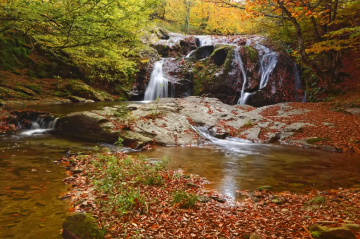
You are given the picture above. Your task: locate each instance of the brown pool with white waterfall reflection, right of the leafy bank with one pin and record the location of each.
(282, 167)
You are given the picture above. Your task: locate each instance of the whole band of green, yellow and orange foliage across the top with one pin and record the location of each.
(102, 36)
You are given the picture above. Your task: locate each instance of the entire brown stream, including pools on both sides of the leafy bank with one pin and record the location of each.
(31, 180)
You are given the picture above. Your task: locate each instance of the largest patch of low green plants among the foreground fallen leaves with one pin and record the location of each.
(121, 176)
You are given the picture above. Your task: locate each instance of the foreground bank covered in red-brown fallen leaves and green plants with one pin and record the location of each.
(130, 196)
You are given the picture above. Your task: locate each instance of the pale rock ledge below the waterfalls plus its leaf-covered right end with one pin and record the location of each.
(172, 121)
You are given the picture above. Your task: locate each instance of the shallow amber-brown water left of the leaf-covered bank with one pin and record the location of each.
(30, 184)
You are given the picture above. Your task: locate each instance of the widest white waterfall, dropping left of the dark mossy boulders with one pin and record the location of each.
(158, 85)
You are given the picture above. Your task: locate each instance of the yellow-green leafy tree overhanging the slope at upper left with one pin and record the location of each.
(100, 36)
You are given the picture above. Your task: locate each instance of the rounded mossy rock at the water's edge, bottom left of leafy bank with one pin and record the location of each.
(81, 226)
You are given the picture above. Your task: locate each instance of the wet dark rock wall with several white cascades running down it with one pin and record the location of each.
(259, 85)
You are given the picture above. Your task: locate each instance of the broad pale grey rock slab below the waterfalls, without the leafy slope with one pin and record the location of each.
(171, 121)
